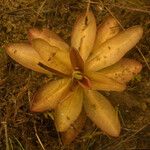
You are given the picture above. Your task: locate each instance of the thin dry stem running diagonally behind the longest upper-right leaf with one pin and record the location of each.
(139, 50)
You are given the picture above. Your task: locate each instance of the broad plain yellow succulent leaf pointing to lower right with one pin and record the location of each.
(102, 113)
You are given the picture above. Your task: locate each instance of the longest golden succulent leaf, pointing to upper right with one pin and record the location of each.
(114, 49)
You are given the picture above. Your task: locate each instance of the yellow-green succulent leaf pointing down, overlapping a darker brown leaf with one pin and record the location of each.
(68, 110)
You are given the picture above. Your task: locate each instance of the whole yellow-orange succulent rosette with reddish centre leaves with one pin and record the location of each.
(92, 63)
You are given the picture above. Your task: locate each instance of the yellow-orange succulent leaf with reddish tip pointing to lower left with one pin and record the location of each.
(49, 95)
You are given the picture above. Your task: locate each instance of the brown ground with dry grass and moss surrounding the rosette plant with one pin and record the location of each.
(19, 128)
